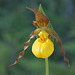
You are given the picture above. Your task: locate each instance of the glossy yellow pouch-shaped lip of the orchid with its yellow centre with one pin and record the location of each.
(43, 47)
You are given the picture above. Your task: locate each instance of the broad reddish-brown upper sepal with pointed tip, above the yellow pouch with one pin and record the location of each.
(41, 19)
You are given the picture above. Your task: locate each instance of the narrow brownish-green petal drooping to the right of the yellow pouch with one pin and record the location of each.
(58, 40)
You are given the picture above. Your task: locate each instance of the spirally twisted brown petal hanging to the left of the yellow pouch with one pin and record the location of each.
(26, 44)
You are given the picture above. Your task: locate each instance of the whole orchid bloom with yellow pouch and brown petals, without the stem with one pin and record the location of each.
(43, 46)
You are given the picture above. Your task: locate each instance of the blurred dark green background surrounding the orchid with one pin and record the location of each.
(16, 26)
